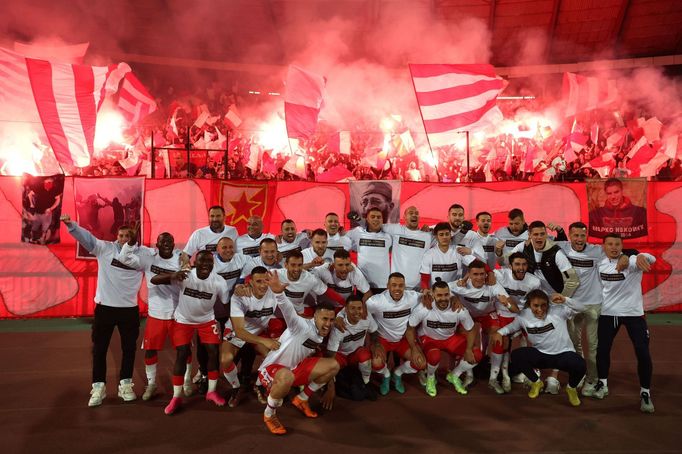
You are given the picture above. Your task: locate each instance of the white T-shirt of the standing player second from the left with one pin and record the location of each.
(161, 299)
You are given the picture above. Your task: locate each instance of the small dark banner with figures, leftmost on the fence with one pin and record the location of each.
(41, 204)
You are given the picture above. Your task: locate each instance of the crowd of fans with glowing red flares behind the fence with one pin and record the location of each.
(213, 147)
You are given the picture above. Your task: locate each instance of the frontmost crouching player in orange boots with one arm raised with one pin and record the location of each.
(292, 364)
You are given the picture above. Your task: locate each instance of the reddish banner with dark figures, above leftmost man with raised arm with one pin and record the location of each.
(103, 205)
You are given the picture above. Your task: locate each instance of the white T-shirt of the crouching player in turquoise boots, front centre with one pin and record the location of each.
(392, 316)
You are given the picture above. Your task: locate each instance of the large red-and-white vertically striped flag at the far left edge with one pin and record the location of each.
(60, 99)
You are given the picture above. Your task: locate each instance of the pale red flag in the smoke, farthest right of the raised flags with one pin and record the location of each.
(584, 93)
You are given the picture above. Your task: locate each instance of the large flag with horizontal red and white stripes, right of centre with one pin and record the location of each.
(455, 98)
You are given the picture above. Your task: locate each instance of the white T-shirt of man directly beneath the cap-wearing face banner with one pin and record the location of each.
(373, 250)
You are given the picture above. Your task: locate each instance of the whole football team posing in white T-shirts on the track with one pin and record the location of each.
(334, 312)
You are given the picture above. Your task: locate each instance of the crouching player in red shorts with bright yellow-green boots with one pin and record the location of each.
(437, 330)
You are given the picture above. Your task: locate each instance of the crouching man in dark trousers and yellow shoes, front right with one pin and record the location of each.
(551, 348)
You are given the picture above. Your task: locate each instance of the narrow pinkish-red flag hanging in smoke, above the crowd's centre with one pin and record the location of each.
(302, 102)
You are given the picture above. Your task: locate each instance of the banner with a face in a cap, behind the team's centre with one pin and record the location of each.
(384, 195)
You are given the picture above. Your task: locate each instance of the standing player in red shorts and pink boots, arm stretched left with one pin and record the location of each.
(198, 291)
